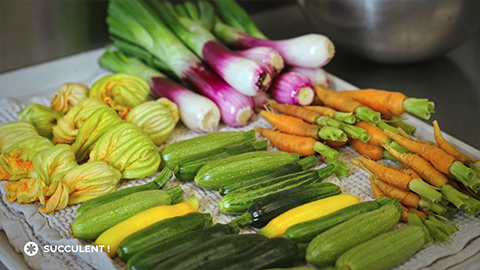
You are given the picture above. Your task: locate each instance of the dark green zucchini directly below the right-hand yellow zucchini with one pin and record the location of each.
(304, 232)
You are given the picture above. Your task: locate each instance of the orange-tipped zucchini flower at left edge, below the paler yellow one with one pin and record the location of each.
(17, 160)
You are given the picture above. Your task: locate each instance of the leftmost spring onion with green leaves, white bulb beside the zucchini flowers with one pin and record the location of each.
(197, 112)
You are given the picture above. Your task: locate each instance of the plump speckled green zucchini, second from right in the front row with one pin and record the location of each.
(326, 247)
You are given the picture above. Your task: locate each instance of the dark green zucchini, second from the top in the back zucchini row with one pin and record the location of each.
(188, 170)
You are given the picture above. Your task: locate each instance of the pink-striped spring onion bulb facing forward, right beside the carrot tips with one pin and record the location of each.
(292, 88)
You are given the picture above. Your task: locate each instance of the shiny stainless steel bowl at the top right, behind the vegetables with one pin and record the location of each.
(394, 31)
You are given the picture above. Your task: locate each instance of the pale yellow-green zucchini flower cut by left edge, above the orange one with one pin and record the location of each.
(13, 132)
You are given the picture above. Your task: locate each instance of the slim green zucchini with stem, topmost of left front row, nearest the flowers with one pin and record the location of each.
(158, 183)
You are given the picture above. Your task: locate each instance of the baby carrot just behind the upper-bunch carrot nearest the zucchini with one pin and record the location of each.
(296, 126)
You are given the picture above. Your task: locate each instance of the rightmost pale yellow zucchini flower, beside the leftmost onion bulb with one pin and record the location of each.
(154, 118)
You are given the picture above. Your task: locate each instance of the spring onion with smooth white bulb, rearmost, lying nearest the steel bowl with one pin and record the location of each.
(311, 50)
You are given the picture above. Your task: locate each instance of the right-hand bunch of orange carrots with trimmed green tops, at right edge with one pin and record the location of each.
(436, 180)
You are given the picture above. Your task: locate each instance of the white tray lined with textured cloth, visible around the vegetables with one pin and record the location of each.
(23, 223)
